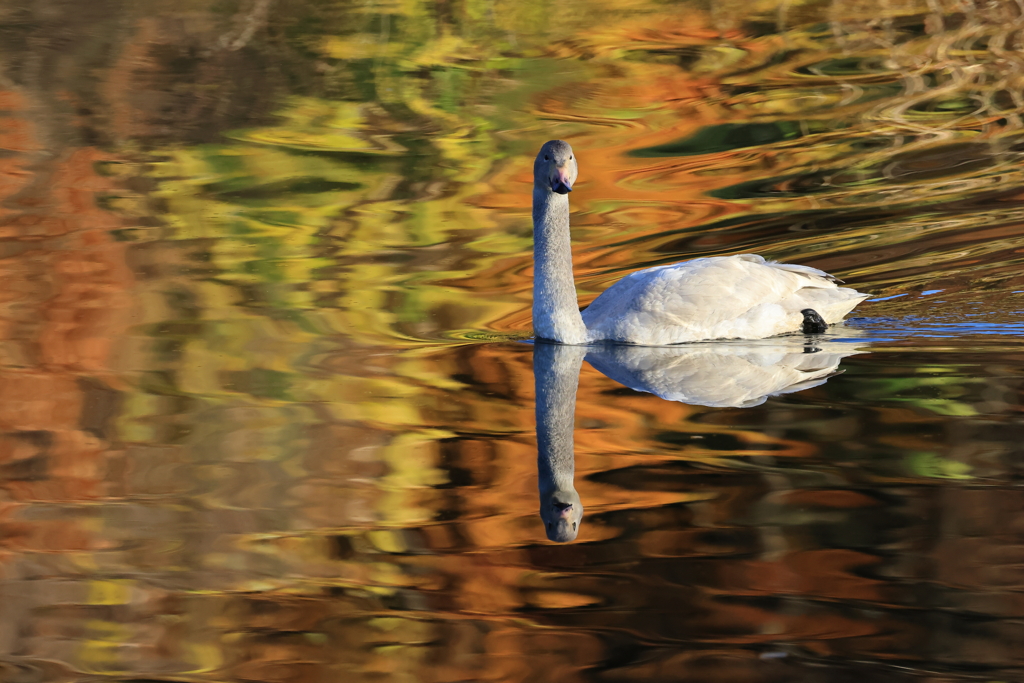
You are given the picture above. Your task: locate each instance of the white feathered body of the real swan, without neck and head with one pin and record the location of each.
(720, 297)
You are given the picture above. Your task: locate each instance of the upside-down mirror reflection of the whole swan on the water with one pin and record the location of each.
(727, 374)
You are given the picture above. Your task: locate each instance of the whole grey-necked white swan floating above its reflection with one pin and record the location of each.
(718, 297)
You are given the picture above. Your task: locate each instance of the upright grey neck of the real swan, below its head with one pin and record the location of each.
(557, 312)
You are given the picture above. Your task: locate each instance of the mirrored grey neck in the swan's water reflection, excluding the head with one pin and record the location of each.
(557, 372)
